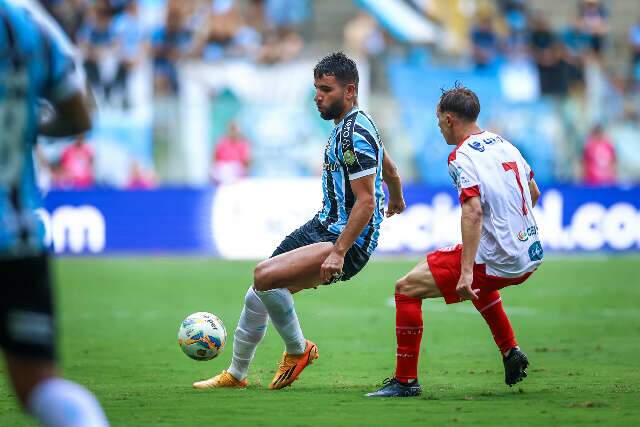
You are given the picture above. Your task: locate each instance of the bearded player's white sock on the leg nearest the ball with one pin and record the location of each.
(250, 330)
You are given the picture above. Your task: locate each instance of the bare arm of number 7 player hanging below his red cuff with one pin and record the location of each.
(471, 231)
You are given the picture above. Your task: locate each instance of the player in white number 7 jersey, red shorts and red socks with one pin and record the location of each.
(500, 245)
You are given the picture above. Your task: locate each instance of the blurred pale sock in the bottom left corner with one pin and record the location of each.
(60, 403)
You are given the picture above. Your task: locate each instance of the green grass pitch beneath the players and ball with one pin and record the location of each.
(578, 320)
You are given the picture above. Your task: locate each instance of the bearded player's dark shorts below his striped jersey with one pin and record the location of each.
(314, 232)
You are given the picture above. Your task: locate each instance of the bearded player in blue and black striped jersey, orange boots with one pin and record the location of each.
(335, 245)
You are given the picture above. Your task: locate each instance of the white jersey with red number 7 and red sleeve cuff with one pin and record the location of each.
(489, 166)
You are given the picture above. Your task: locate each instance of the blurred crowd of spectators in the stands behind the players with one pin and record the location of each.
(597, 105)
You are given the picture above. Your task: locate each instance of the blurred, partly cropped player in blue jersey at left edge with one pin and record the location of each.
(35, 65)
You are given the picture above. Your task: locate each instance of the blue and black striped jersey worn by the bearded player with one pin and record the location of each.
(354, 150)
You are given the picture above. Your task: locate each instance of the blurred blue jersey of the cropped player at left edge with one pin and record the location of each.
(35, 64)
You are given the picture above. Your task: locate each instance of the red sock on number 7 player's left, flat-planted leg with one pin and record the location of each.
(408, 335)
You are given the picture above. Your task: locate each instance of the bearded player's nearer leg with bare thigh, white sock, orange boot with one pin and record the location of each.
(297, 269)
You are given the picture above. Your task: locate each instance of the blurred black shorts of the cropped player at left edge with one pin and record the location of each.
(27, 324)
